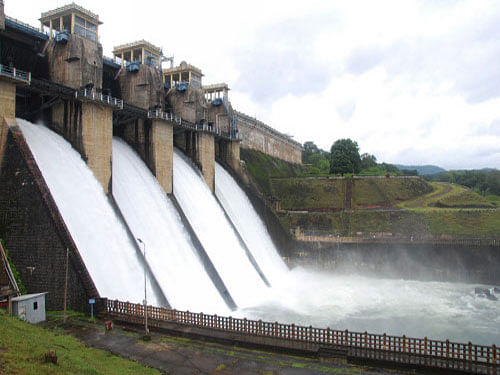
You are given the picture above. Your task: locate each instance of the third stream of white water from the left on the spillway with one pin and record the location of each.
(216, 234)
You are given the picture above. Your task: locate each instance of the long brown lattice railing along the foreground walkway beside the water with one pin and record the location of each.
(422, 347)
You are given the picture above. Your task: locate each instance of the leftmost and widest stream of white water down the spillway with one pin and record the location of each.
(109, 256)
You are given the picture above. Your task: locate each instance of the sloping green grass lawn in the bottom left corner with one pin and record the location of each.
(23, 346)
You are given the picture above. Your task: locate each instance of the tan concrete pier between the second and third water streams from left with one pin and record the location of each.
(162, 152)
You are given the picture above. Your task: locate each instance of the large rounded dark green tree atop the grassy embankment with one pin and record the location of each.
(344, 157)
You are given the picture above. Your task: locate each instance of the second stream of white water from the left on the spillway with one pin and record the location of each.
(152, 217)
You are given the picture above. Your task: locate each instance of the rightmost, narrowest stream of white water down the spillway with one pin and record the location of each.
(250, 226)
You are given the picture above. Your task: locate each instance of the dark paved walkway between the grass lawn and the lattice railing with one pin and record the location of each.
(178, 355)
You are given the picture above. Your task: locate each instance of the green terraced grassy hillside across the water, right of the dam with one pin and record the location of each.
(398, 205)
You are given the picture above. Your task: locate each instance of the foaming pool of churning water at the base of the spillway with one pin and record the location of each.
(438, 310)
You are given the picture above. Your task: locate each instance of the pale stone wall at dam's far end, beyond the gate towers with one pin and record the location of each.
(258, 136)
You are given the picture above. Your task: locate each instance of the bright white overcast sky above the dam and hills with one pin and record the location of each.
(413, 82)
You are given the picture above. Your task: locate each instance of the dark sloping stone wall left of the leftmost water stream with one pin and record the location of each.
(35, 234)
